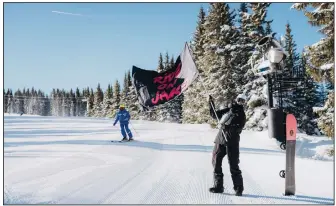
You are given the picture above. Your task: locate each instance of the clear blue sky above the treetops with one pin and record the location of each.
(45, 49)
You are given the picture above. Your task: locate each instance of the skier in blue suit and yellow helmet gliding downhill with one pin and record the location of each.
(123, 117)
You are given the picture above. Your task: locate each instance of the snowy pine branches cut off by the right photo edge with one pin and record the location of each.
(320, 57)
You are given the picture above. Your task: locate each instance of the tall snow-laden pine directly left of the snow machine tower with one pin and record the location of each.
(254, 85)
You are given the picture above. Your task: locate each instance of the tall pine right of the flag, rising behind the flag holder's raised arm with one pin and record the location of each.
(219, 57)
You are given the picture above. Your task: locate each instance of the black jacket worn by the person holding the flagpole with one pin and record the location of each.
(234, 129)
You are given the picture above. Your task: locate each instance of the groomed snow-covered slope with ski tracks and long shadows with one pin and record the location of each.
(72, 161)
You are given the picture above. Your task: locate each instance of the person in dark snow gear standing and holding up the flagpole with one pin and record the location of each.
(232, 121)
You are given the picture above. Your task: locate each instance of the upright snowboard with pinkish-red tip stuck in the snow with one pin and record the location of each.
(291, 128)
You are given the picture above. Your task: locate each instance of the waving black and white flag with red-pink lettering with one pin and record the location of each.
(154, 88)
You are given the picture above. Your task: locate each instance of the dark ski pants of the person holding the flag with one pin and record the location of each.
(232, 151)
